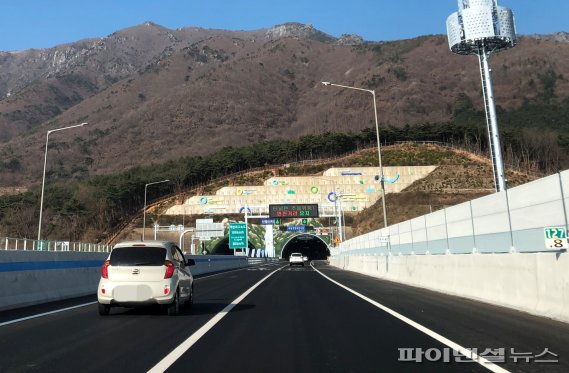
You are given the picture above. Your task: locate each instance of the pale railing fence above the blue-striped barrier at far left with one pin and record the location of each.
(25, 244)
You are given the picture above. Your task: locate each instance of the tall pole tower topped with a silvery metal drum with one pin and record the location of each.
(482, 27)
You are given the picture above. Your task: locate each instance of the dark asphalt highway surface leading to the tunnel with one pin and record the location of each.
(281, 319)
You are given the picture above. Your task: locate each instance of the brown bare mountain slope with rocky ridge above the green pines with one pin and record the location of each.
(151, 94)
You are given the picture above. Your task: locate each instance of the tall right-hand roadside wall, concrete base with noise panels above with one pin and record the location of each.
(520, 267)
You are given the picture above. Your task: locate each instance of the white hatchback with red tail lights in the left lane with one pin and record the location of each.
(140, 273)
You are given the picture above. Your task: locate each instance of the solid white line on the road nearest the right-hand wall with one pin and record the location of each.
(455, 346)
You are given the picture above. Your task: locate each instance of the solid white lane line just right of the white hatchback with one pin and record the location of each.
(171, 358)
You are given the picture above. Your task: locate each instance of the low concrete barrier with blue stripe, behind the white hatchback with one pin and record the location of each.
(34, 277)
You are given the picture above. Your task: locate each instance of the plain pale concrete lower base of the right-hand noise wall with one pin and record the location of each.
(537, 283)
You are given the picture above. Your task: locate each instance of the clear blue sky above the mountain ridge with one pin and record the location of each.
(28, 24)
